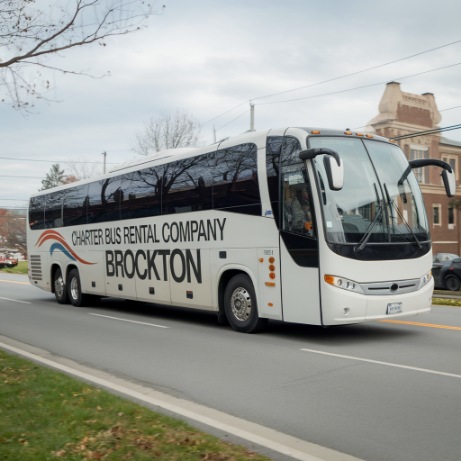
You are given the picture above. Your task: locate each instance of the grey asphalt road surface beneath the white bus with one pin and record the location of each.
(378, 391)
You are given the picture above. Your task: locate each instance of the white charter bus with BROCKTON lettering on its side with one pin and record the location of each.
(309, 226)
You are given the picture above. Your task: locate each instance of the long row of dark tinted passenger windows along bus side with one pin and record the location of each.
(224, 180)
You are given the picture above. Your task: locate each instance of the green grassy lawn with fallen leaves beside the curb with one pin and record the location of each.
(46, 415)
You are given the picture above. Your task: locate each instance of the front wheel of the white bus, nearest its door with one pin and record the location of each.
(240, 305)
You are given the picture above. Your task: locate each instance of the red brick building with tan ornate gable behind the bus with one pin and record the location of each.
(402, 115)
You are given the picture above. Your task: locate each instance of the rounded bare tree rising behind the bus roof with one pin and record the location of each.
(168, 131)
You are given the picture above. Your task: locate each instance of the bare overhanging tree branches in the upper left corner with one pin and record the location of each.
(31, 31)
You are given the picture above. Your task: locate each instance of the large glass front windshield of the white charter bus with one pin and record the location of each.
(378, 205)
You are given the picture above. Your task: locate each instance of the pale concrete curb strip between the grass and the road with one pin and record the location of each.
(255, 433)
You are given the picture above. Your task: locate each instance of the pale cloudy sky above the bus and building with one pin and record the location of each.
(318, 63)
